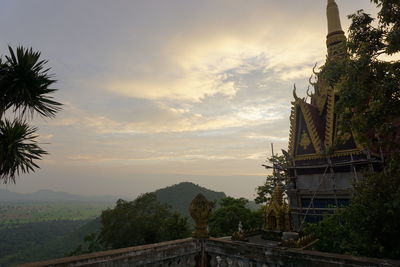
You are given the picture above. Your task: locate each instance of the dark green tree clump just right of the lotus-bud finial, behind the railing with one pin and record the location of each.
(225, 220)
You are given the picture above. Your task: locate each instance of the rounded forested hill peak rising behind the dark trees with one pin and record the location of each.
(180, 195)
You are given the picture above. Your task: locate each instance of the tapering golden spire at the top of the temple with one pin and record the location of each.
(335, 40)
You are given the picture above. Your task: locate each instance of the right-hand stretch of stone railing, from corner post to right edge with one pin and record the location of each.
(222, 253)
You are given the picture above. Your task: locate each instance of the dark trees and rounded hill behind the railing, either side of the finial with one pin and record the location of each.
(148, 220)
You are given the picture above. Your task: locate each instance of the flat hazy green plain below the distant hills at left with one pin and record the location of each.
(37, 231)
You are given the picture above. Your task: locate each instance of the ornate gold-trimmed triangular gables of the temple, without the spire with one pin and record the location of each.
(314, 131)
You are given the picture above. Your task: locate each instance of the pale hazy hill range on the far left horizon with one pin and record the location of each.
(49, 195)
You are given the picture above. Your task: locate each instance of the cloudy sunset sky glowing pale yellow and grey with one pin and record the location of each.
(157, 92)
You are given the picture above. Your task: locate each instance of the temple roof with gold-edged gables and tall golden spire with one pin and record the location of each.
(314, 130)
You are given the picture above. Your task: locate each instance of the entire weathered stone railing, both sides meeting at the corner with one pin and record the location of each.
(212, 252)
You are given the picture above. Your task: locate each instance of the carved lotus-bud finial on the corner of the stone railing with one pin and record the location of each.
(200, 209)
